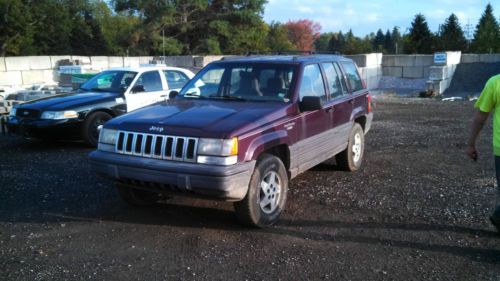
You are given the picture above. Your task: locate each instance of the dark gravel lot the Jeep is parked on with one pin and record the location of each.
(416, 211)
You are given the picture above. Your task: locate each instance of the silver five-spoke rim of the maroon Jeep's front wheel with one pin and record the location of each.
(270, 191)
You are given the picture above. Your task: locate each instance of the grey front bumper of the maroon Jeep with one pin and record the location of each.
(229, 183)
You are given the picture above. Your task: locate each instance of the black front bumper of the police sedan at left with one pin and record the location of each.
(40, 128)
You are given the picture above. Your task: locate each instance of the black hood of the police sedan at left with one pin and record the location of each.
(68, 101)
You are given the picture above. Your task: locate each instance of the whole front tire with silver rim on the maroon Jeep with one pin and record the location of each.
(255, 209)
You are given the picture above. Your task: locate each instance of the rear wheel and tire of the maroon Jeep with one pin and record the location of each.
(352, 157)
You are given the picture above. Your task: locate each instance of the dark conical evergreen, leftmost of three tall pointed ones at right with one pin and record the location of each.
(420, 38)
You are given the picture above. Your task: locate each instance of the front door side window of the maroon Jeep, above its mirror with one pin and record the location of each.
(312, 82)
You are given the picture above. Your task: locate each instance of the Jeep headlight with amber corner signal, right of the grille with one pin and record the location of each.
(218, 151)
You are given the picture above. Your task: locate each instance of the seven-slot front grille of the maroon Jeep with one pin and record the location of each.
(157, 146)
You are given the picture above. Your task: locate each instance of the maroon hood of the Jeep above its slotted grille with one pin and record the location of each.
(207, 118)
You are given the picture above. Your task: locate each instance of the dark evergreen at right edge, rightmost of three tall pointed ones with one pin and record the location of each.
(487, 35)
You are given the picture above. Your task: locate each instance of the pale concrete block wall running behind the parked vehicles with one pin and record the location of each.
(24, 71)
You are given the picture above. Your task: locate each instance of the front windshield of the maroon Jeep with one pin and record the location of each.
(242, 82)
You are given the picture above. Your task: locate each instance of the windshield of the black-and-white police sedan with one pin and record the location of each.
(114, 81)
